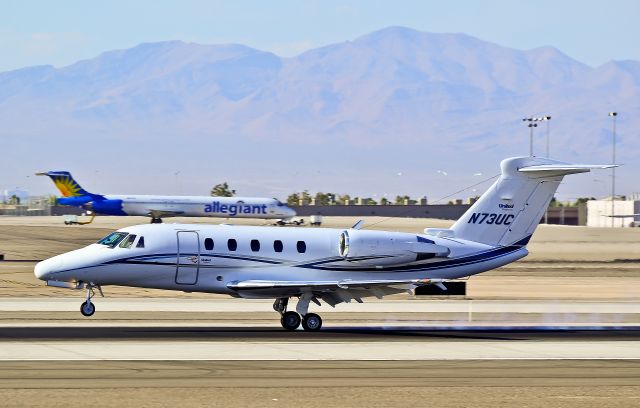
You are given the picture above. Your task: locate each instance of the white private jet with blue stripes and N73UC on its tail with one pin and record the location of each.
(318, 264)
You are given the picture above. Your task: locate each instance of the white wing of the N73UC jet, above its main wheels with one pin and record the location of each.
(332, 292)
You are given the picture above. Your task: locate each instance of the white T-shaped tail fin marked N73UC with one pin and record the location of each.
(510, 210)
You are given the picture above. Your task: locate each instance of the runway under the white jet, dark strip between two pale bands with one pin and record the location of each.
(232, 329)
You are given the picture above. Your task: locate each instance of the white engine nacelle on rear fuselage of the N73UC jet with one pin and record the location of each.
(379, 248)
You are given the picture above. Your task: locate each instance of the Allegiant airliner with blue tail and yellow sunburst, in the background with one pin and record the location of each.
(157, 207)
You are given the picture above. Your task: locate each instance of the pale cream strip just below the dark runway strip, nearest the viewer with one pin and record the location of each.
(314, 351)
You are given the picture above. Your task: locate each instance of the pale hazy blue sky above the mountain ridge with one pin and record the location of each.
(62, 32)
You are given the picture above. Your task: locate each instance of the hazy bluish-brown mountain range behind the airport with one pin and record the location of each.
(379, 114)
